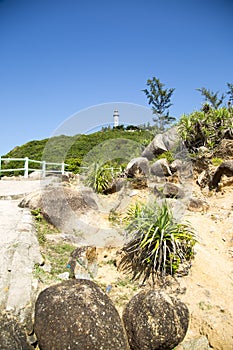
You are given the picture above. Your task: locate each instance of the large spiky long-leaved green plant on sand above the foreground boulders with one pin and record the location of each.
(158, 244)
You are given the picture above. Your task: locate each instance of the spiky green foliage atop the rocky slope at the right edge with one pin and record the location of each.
(205, 129)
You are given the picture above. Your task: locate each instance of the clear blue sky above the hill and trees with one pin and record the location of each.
(58, 57)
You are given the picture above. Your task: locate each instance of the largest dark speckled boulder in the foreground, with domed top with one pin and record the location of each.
(77, 315)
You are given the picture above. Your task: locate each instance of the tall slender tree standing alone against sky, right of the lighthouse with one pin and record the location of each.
(160, 99)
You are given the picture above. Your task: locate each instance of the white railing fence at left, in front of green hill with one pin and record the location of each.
(45, 167)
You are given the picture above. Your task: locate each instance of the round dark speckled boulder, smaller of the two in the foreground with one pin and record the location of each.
(153, 320)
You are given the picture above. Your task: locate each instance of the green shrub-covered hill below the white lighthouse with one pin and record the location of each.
(112, 144)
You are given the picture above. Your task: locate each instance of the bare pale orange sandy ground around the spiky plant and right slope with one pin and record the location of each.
(208, 288)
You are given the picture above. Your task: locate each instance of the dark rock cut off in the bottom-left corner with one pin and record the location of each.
(12, 334)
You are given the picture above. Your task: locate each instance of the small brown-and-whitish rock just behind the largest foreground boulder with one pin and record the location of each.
(83, 263)
